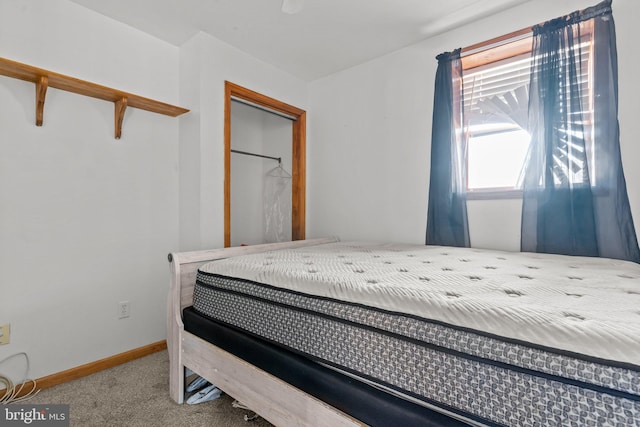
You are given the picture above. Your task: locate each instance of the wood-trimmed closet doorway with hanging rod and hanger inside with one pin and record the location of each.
(276, 168)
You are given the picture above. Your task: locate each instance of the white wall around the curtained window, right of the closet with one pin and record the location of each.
(370, 129)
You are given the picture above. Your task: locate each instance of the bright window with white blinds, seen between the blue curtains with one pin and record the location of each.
(496, 100)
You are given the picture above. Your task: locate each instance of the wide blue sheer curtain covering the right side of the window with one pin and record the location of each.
(574, 192)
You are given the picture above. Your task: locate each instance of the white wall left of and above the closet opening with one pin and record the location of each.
(205, 64)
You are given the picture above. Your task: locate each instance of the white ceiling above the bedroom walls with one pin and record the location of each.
(325, 37)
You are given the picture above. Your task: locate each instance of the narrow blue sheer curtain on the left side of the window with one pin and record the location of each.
(447, 223)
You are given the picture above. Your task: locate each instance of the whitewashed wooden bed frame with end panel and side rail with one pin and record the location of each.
(273, 399)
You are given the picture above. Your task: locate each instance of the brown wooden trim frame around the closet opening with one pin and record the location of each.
(298, 151)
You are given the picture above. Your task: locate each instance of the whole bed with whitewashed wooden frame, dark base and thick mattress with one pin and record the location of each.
(323, 332)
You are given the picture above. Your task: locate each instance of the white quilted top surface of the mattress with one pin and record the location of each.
(580, 304)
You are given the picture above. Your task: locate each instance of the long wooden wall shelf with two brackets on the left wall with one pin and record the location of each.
(44, 79)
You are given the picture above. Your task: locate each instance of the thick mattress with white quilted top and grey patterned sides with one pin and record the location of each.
(491, 337)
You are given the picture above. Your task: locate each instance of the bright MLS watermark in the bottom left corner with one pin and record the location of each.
(34, 415)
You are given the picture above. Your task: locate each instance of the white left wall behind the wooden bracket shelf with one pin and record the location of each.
(86, 221)
